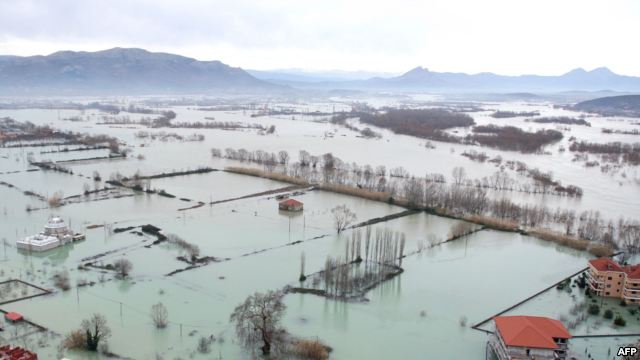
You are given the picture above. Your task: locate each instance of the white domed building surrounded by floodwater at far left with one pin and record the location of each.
(56, 233)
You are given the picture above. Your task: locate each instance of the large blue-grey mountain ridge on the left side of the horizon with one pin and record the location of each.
(121, 71)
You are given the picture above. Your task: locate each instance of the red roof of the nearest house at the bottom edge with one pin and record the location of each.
(530, 331)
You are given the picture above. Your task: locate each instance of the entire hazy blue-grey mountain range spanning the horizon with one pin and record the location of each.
(136, 71)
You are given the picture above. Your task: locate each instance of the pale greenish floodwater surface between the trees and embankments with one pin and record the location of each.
(416, 315)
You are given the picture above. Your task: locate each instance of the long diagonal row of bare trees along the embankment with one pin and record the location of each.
(458, 197)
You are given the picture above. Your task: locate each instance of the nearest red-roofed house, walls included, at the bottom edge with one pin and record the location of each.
(529, 337)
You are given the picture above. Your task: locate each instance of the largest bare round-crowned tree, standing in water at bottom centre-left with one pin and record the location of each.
(257, 321)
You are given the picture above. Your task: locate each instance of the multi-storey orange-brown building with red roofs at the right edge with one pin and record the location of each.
(608, 278)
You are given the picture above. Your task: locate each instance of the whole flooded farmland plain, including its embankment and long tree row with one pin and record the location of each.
(466, 251)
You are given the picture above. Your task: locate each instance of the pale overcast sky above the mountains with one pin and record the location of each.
(503, 36)
